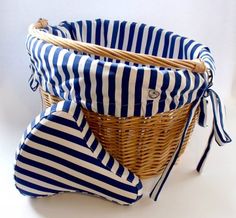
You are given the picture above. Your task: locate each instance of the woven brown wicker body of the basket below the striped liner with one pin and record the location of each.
(143, 144)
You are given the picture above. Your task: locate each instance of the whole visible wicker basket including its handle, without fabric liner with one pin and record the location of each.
(143, 144)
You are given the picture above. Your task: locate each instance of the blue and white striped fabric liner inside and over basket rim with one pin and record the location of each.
(115, 87)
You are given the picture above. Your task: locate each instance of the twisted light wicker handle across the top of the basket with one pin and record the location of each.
(193, 65)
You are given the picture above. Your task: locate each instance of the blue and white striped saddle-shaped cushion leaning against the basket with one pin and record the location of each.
(59, 153)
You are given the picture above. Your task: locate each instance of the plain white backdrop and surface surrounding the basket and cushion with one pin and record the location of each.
(186, 194)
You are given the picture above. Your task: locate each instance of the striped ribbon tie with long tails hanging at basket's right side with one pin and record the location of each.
(218, 132)
